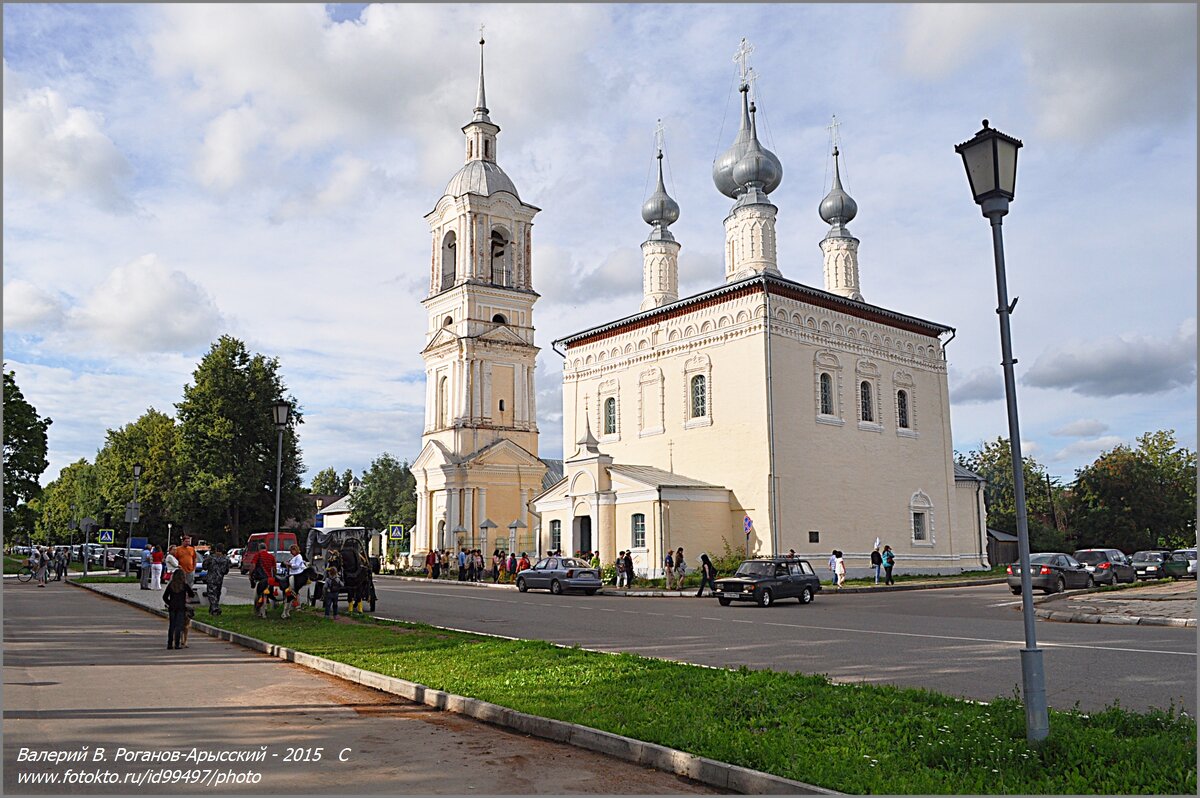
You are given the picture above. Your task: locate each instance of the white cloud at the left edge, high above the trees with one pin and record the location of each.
(57, 151)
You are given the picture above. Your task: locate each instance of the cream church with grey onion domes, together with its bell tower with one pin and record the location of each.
(763, 415)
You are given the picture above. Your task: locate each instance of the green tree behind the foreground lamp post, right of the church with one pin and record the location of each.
(994, 463)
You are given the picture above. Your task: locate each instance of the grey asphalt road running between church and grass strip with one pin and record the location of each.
(958, 641)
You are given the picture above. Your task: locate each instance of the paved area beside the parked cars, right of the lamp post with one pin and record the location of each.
(1165, 604)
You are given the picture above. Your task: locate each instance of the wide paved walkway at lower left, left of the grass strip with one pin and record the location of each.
(82, 670)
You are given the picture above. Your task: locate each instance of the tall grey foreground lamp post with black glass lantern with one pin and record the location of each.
(991, 163)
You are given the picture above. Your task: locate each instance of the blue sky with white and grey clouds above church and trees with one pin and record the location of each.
(176, 173)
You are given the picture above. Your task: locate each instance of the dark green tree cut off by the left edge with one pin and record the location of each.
(25, 458)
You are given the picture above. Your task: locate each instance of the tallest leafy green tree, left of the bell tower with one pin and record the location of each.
(227, 447)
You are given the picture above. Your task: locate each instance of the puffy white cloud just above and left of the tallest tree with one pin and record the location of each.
(143, 307)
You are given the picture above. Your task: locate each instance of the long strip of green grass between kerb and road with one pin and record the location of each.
(857, 740)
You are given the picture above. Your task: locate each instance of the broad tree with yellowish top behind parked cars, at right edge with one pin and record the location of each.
(1138, 499)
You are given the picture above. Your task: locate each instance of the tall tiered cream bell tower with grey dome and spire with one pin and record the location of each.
(479, 349)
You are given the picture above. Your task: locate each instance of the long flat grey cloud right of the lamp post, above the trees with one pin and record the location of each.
(1132, 364)
